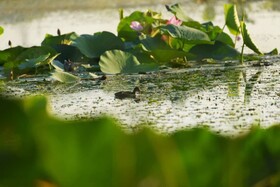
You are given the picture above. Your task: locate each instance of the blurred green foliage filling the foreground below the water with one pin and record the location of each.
(36, 147)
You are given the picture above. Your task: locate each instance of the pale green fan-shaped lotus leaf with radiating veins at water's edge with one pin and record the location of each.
(117, 61)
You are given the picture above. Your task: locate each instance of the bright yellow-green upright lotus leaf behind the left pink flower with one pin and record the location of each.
(128, 34)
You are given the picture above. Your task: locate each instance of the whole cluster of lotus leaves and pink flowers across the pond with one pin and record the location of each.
(144, 42)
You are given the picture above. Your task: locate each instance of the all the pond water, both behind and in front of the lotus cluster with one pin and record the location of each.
(227, 99)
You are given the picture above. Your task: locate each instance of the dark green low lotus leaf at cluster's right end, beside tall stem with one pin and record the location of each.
(217, 51)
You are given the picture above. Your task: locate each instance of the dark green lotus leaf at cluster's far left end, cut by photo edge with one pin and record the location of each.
(9, 55)
